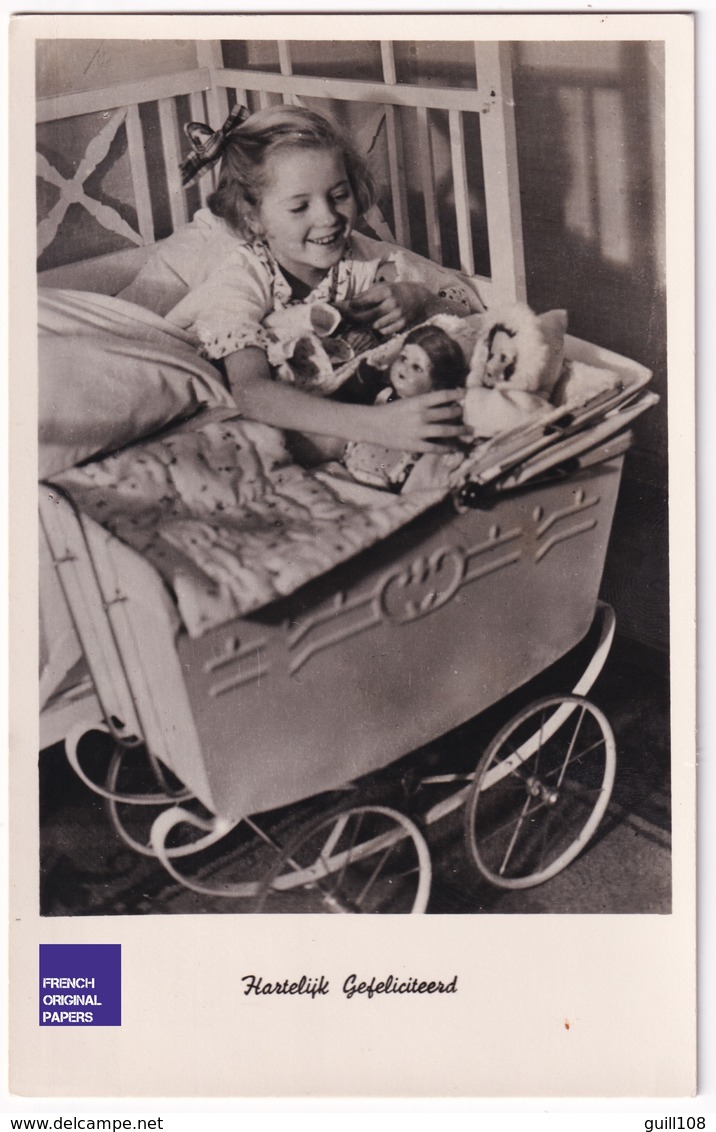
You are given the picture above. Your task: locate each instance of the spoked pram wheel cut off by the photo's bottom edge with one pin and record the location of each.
(364, 860)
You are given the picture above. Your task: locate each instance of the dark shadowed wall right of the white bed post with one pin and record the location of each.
(591, 149)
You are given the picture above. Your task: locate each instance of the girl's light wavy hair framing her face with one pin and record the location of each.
(243, 177)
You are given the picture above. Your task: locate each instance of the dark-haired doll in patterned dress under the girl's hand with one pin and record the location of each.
(429, 359)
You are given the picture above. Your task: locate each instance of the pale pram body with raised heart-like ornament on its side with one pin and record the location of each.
(357, 670)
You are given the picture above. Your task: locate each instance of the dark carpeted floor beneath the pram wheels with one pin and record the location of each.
(88, 871)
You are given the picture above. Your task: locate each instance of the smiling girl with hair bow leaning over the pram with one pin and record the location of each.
(281, 230)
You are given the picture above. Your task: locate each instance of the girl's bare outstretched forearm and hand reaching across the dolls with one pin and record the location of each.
(424, 424)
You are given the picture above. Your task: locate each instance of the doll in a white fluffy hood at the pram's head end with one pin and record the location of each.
(513, 373)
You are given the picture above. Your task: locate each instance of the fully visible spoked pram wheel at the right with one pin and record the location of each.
(540, 792)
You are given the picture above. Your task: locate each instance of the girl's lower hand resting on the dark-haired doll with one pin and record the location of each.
(430, 423)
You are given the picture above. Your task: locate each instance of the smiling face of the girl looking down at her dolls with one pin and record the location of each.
(307, 211)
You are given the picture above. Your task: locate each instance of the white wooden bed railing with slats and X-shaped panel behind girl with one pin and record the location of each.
(209, 90)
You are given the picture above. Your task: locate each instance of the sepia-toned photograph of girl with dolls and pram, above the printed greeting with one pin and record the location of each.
(420, 666)
